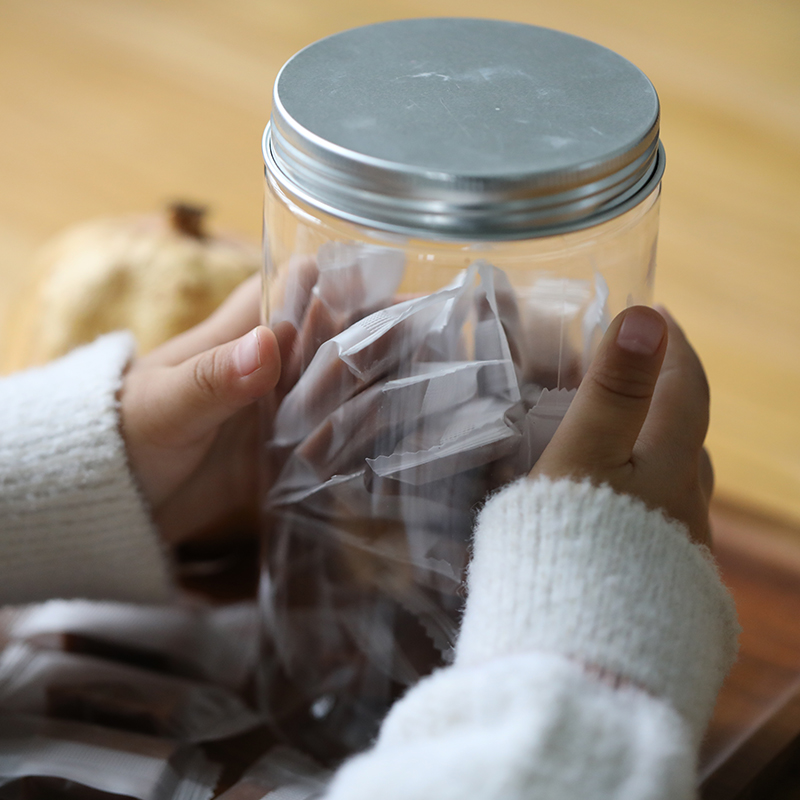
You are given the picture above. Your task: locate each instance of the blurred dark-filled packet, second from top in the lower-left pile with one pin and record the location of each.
(83, 688)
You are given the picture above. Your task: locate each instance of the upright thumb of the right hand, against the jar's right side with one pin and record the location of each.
(601, 427)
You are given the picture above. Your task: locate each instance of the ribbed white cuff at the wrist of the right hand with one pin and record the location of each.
(579, 570)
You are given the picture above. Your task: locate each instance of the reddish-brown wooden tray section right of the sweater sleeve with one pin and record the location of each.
(752, 748)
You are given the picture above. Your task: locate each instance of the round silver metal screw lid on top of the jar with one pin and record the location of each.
(464, 128)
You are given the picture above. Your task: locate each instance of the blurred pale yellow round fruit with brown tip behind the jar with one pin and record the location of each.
(154, 274)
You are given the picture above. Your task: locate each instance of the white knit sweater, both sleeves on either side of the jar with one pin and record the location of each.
(594, 642)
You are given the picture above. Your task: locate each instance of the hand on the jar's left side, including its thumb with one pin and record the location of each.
(189, 420)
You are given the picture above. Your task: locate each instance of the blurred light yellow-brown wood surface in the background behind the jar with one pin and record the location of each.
(110, 106)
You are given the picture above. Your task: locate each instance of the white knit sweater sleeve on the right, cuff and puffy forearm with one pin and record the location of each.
(567, 582)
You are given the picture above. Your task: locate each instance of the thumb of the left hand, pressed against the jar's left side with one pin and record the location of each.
(201, 393)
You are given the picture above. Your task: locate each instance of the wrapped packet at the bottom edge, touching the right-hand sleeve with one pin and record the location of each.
(282, 774)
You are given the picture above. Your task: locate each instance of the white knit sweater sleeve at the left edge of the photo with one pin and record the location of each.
(72, 521)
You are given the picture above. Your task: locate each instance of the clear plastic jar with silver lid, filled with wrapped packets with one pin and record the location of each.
(437, 307)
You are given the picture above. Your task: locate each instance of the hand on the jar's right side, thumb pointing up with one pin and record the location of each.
(639, 426)
